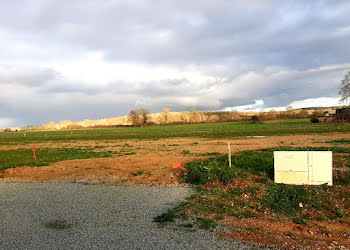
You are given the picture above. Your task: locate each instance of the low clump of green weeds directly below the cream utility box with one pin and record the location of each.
(285, 199)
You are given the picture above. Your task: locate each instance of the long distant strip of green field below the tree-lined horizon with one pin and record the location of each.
(208, 130)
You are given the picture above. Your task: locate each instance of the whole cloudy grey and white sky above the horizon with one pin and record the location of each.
(85, 59)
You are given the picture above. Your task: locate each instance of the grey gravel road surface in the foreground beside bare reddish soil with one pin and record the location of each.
(76, 216)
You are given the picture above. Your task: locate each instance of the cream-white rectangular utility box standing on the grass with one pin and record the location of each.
(303, 167)
